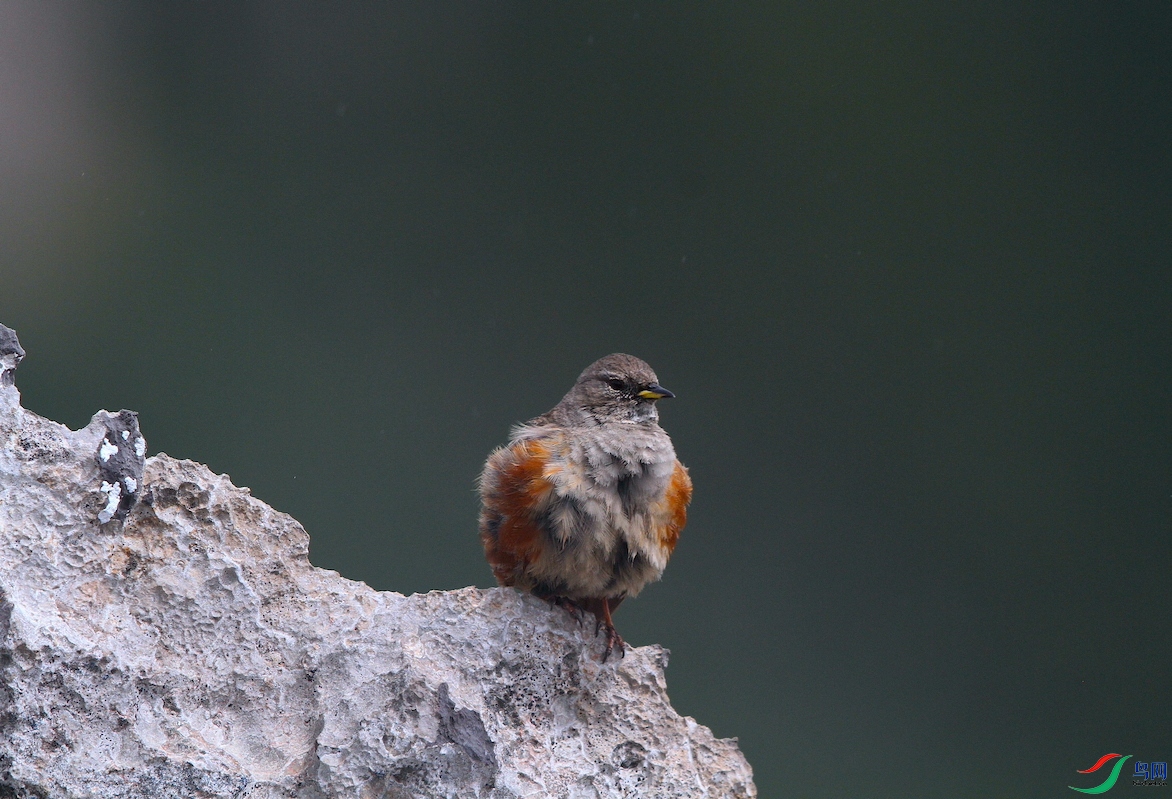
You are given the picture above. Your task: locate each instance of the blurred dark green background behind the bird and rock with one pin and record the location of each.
(907, 267)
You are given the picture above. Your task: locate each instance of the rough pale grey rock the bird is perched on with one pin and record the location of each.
(163, 634)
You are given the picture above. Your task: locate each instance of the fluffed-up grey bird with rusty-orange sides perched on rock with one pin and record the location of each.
(584, 506)
